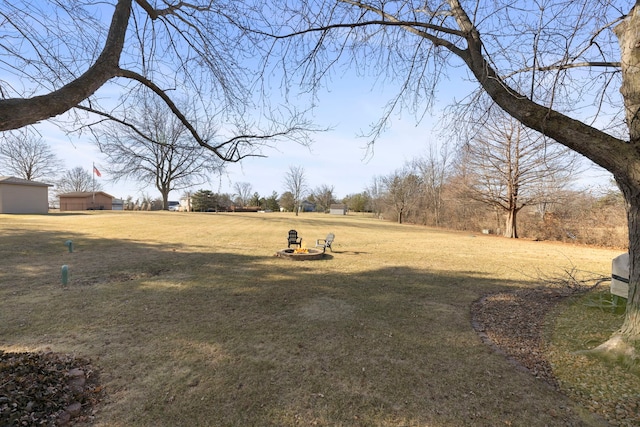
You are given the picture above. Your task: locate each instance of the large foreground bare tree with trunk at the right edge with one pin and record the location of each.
(558, 67)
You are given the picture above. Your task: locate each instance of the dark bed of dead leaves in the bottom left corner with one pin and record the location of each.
(47, 389)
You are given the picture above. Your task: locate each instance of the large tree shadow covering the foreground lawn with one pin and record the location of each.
(219, 338)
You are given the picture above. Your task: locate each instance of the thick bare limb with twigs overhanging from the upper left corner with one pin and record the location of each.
(64, 56)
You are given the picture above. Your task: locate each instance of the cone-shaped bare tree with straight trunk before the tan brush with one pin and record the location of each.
(510, 167)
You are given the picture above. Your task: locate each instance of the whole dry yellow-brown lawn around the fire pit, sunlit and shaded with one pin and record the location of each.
(192, 320)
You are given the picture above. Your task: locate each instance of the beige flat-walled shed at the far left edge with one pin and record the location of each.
(21, 196)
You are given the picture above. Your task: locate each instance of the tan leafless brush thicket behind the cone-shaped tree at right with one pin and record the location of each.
(594, 217)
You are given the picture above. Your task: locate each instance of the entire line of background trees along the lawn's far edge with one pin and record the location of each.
(502, 180)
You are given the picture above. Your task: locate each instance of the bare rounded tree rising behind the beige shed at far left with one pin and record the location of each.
(27, 156)
